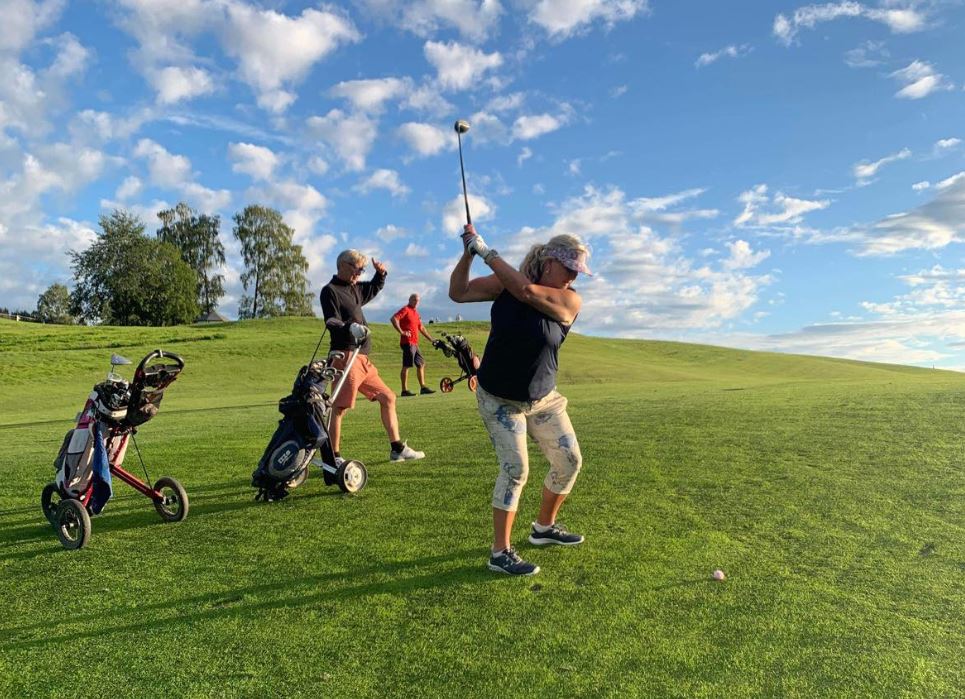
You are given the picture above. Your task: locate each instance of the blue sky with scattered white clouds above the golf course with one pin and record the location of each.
(778, 176)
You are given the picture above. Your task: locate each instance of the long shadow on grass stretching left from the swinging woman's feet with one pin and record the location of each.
(408, 576)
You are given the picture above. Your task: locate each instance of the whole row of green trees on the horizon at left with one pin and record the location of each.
(127, 277)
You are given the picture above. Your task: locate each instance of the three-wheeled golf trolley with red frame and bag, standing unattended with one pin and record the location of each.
(93, 451)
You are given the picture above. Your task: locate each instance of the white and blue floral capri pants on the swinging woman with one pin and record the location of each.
(546, 421)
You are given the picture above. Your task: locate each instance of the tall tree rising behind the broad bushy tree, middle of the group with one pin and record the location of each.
(196, 236)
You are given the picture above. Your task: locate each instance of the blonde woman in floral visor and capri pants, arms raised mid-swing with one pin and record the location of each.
(532, 312)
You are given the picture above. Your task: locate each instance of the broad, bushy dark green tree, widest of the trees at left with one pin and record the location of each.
(126, 278)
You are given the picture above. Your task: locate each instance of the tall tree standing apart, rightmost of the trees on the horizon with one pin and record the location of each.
(275, 278)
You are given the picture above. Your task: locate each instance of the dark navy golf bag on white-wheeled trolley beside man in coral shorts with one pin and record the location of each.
(303, 431)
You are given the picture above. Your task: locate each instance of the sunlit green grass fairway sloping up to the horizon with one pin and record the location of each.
(831, 493)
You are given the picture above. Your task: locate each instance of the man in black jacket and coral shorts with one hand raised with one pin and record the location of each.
(342, 300)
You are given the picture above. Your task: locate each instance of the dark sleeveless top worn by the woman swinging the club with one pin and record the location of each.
(522, 354)
